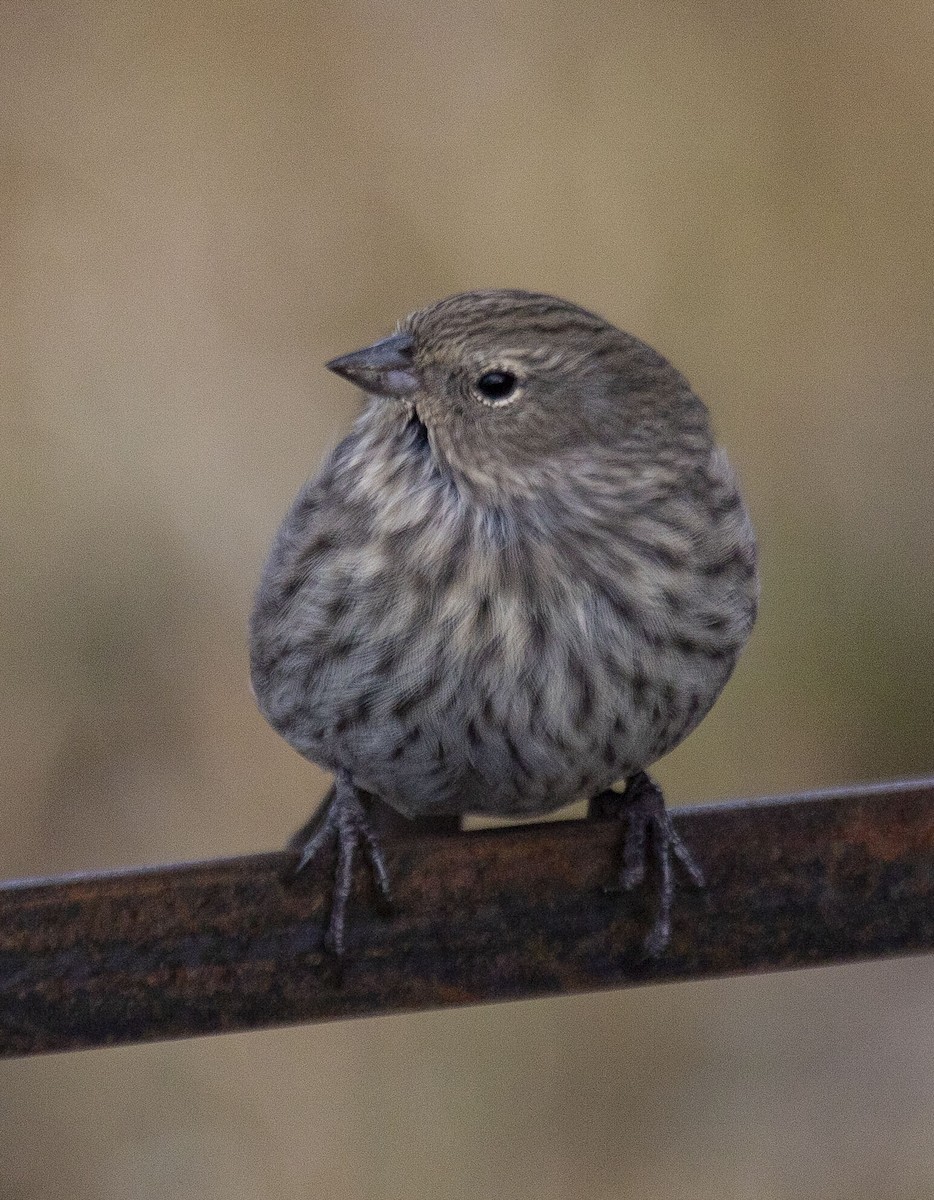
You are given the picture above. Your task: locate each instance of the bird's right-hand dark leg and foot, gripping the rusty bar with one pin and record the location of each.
(650, 838)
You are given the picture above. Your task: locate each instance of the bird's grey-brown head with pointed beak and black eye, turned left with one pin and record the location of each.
(512, 387)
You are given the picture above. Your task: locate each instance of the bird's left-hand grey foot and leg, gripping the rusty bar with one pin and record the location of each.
(344, 823)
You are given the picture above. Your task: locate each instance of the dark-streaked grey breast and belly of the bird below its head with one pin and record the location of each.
(450, 655)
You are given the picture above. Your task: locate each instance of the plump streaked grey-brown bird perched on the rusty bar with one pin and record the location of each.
(524, 577)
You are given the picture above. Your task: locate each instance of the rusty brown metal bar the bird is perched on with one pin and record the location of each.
(494, 915)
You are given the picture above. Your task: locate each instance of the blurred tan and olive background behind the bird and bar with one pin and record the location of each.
(201, 205)
